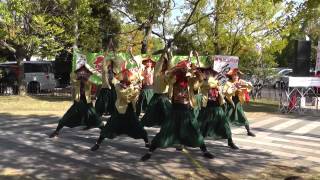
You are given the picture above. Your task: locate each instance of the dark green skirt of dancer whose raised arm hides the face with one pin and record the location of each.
(158, 111)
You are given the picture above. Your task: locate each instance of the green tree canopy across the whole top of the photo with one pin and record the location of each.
(261, 33)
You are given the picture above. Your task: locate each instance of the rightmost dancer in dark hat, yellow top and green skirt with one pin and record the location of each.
(234, 93)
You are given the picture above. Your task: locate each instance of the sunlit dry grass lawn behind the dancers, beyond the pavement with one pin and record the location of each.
(42, 105)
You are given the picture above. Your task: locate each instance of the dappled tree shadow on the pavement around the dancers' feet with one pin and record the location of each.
(27, 148)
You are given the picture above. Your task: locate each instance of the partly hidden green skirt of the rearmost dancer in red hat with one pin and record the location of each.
(144, 100)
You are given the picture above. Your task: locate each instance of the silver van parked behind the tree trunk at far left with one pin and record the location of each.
(38, 75)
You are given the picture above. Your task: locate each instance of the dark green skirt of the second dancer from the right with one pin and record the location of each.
(213, 121)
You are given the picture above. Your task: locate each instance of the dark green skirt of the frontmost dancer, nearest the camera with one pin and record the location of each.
(180, 129)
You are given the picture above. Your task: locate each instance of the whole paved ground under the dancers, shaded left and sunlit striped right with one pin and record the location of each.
(26, 150)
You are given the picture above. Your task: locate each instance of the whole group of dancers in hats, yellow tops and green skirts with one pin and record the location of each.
(185, 100)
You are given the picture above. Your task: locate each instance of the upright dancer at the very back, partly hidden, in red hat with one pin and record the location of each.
(147, 88)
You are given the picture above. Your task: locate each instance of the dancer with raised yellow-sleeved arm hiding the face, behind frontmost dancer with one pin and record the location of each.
(159, 107)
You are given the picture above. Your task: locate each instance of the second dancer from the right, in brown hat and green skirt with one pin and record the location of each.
(212, 118)
